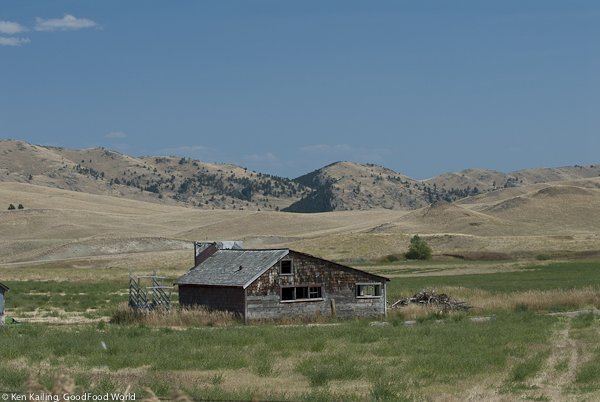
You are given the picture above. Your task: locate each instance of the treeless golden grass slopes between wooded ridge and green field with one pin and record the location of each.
(59, 224)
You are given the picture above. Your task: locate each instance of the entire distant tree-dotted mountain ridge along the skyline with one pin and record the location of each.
(340, 186)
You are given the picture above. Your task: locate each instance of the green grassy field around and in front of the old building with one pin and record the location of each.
(521, 352)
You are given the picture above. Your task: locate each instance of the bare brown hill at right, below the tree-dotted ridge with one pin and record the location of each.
(551, 210)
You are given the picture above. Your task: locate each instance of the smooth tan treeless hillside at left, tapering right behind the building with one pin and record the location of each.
(63, 224)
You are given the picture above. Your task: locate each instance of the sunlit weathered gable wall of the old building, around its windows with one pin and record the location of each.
(264, 294)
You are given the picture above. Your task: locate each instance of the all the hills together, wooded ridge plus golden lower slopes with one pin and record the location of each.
(82, 203)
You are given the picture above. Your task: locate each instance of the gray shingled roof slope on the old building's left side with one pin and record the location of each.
(223, 267)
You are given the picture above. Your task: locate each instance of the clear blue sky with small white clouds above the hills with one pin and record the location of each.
(286, 87)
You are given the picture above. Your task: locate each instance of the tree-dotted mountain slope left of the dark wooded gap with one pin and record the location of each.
(162, 180)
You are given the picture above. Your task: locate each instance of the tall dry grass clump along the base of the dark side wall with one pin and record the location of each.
(178, 317)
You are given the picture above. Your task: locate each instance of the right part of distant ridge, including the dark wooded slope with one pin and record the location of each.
(350, 186)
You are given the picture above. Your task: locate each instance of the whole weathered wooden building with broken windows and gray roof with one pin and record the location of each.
(279, 283)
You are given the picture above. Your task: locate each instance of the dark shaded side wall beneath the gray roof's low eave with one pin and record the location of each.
(213, 297)
